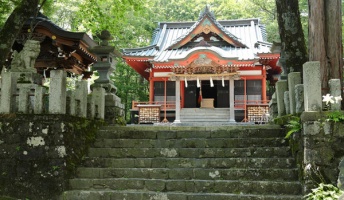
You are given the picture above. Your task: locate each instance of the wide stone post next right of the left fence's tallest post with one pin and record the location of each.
(81, 92)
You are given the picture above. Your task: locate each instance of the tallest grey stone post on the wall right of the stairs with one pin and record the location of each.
(312, 86)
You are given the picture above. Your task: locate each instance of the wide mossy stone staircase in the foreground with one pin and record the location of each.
(187, 163)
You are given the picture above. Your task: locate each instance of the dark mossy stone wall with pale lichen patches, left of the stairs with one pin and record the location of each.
(38, 153)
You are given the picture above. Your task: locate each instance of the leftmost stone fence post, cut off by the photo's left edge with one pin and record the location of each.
(8, 88)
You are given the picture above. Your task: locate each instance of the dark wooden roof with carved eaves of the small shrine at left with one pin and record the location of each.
(59, 48)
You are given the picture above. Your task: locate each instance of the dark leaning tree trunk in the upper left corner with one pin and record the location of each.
(13, 26)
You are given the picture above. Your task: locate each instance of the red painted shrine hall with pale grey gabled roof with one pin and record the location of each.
(207, 65)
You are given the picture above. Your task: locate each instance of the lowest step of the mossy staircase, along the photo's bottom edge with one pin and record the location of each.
(148, 195)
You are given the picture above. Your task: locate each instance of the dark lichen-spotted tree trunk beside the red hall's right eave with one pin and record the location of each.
(292, 38)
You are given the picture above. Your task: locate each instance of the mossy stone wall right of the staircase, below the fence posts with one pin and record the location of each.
(318, 149)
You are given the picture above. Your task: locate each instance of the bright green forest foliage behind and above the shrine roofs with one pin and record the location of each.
(132, 23)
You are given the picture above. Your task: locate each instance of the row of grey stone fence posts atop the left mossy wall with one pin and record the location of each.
(21, 94)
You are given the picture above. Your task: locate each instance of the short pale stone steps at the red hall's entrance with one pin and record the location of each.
(192, 115)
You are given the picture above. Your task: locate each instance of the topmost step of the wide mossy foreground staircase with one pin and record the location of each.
(176, 132)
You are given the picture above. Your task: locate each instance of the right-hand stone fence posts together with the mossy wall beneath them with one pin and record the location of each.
(318, 147)
